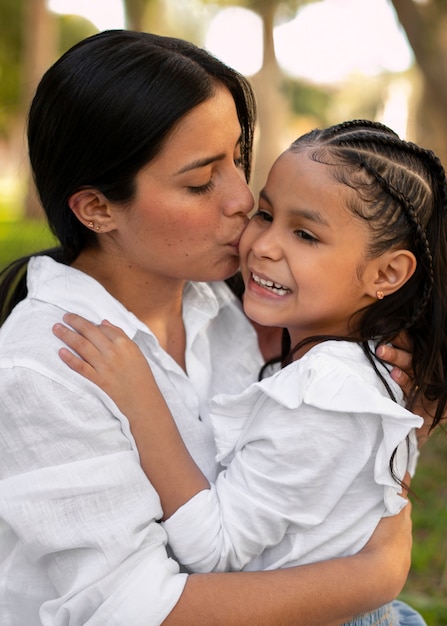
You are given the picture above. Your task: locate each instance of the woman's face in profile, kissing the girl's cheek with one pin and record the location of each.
(191, 202)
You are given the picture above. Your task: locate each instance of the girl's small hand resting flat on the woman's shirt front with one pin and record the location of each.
(106, 356)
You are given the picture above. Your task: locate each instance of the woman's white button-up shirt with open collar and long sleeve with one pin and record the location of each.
(80, 540)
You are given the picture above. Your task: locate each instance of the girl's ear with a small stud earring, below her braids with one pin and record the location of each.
(393, 270)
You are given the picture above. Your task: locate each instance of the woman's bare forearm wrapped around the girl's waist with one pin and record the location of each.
(320, 594)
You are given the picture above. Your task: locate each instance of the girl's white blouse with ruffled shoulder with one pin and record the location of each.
(307, 478)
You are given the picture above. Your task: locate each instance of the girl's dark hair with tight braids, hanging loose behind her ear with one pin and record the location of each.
(400, 190)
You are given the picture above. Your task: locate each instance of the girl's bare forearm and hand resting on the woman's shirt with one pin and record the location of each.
(108, 358)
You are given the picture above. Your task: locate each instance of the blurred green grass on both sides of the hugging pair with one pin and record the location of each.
(426, 588)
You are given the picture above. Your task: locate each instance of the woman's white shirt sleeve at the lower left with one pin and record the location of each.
(79, 525)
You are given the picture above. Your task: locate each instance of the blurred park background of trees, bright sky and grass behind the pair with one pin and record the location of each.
(312, 63)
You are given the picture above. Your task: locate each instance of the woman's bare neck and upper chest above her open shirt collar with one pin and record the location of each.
(155, 300)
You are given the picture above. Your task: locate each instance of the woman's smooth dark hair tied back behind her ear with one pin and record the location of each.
(101, 113)
